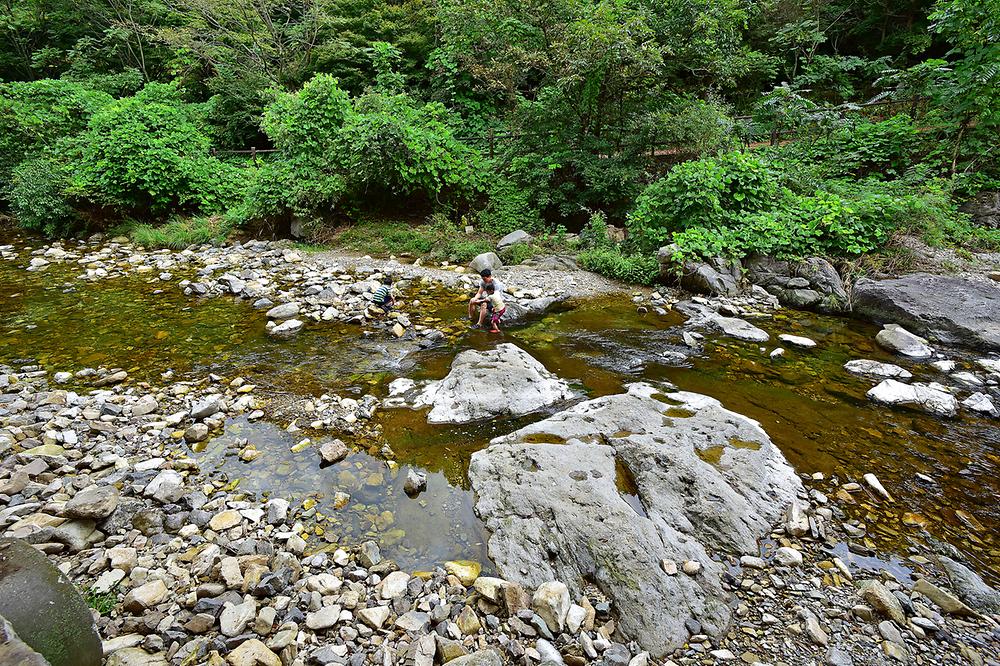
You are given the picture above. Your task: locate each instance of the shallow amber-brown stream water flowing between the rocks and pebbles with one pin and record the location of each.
(813, 410)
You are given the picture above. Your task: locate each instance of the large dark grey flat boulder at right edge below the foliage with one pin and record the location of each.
(944, 308)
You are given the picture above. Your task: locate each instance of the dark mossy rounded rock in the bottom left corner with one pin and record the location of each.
(44, 608)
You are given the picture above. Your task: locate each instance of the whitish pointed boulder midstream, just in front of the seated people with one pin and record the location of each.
(498, 382)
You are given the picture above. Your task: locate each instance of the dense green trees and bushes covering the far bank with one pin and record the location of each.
(726, 126)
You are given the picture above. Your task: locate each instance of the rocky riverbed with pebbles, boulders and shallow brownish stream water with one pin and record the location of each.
(157, 488)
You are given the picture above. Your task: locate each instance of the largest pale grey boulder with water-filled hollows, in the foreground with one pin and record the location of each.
(606, 490)
